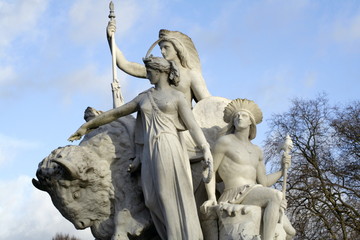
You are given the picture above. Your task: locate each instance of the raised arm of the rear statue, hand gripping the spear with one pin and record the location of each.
(131, 68)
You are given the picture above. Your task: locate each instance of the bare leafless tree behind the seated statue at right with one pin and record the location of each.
(324, 179)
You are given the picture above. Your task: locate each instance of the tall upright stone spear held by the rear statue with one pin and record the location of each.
(117, 96)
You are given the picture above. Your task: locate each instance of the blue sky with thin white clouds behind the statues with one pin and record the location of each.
(55, 61)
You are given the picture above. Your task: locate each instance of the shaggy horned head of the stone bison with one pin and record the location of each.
(79, 185)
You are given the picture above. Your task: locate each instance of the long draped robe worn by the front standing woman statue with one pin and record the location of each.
(166, 174)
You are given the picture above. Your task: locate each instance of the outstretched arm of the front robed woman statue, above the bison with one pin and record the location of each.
(105, 118)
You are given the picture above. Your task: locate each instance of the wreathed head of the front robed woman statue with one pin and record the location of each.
(161, 65)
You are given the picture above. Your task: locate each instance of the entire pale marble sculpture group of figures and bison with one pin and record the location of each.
(176, 171)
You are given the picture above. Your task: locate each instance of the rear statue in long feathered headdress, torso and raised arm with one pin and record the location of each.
(175, 46)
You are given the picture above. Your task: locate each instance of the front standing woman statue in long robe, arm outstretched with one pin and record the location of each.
(165, 170)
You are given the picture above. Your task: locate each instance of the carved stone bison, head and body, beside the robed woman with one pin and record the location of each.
(90, 186)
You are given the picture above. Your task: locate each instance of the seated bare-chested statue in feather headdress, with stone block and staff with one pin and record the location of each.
(241, 167)
